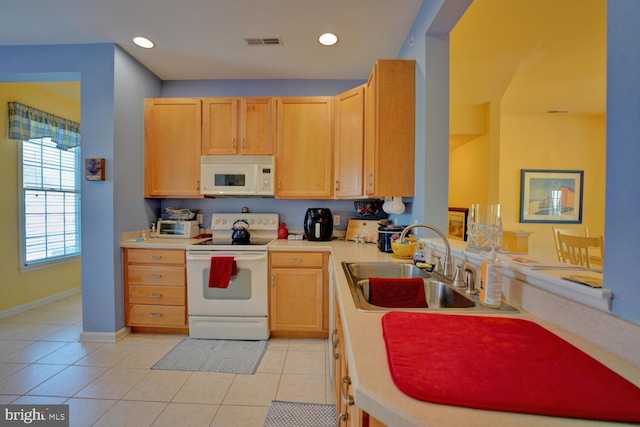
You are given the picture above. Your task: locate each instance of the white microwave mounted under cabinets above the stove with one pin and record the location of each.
(237, 176)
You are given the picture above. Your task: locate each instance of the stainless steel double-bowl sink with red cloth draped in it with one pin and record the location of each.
(440, 293)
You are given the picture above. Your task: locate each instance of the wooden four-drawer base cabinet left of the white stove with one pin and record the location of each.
(155, 292)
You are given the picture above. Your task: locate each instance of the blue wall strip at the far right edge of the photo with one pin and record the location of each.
(622, 235)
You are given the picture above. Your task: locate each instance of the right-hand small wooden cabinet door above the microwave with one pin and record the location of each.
(256, 126)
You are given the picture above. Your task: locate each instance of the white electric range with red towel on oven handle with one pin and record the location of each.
(239, 311)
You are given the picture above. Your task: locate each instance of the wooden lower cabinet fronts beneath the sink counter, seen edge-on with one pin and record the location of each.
(348, 414)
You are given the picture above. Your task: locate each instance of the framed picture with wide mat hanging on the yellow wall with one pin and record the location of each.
(552, 196)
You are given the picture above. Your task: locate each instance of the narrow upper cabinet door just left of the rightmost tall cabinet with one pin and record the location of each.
(349, 144)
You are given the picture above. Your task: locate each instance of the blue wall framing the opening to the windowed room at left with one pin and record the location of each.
(112, 89)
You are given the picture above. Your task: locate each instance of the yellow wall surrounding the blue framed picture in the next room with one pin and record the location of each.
(559, 143)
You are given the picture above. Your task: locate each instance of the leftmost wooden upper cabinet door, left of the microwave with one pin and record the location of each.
(172, 147)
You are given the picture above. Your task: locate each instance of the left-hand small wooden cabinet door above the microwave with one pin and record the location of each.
(220, 126)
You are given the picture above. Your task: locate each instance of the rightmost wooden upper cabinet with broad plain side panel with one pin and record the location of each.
(390, 129)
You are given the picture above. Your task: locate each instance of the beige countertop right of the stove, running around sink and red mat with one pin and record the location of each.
(374, 390)
